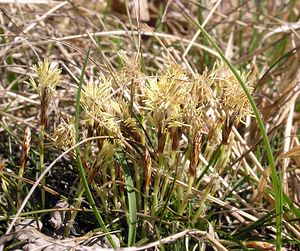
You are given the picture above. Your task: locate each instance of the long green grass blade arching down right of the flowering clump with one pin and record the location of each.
(276, 178)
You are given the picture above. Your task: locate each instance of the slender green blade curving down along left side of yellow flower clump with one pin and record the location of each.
(79, 162)
